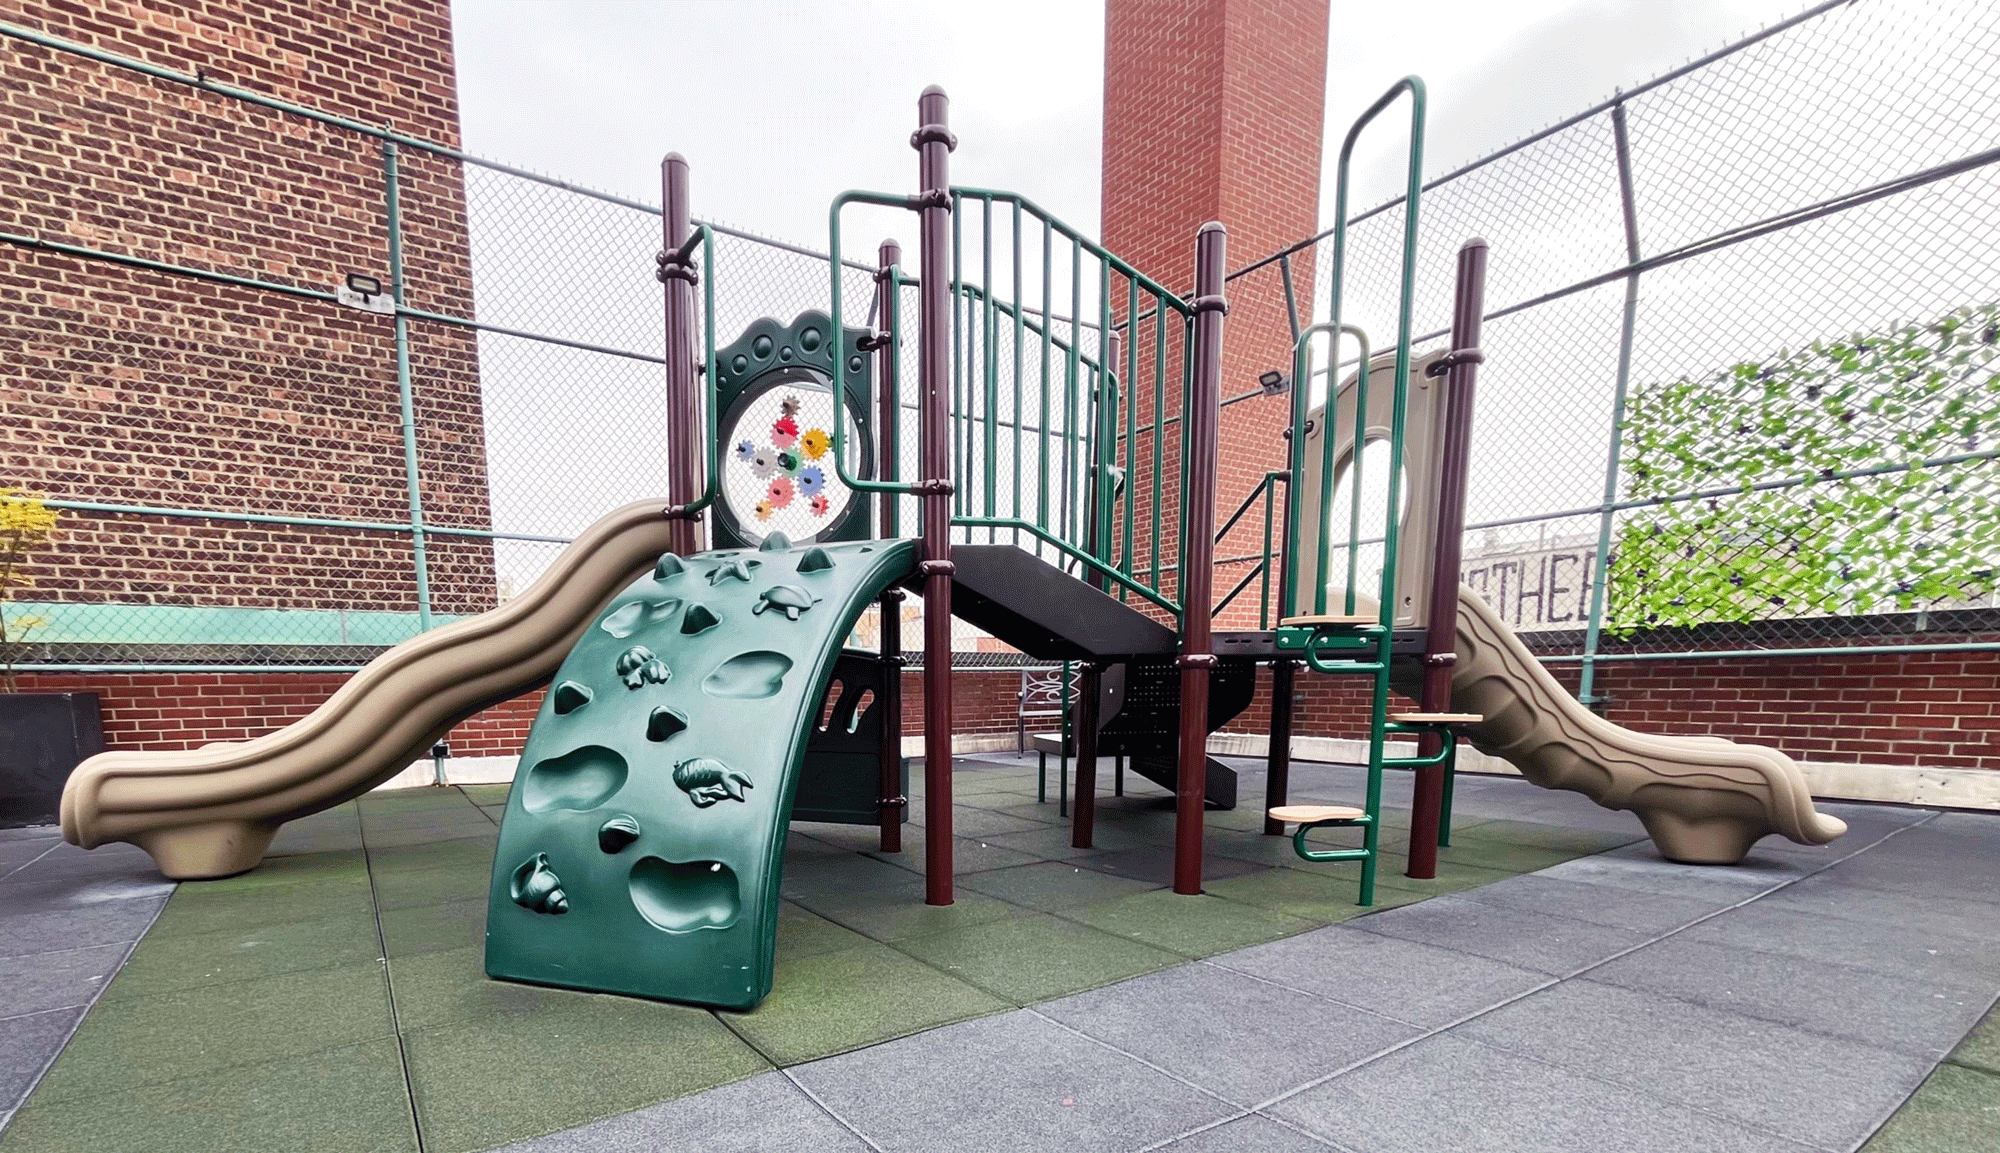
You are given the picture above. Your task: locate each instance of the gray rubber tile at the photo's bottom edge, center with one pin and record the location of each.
(1011, 1082)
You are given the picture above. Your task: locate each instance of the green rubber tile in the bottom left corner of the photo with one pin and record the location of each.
(327, 1102)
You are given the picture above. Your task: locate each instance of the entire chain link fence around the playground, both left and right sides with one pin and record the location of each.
(1737, 389)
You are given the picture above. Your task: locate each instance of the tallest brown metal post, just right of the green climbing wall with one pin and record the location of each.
(935, 143)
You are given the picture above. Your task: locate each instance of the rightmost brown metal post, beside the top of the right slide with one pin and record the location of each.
(1441, 634)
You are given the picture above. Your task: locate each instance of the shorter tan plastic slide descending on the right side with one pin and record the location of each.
(1703, 800)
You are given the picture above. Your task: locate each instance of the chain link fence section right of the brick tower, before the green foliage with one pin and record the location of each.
(1741, 347)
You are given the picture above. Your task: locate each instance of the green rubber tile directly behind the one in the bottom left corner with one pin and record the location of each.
(193, 1032)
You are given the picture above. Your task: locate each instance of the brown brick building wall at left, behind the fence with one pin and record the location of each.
(135, 387)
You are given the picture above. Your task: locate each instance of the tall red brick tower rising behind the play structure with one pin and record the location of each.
(1213, 111)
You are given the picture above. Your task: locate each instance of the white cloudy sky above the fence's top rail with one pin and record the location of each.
(781, 105)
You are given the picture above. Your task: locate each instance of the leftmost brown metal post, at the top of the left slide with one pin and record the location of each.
(683, 397)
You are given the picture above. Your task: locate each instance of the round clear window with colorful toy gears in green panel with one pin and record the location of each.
(779, 461)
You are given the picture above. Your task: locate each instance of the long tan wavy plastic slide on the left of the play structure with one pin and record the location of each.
(213, 812)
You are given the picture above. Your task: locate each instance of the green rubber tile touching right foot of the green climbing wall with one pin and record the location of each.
(855, 998)
